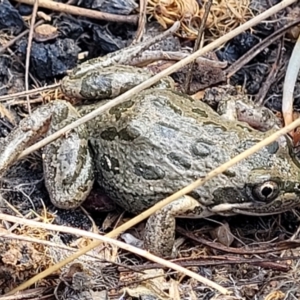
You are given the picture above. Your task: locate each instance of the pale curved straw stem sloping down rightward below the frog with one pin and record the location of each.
(111, 241)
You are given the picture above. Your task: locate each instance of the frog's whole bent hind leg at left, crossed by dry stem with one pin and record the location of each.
(67, 161)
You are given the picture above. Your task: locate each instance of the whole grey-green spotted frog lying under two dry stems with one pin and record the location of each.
(150, 146)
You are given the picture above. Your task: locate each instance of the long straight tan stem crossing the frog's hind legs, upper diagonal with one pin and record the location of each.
(160, 75)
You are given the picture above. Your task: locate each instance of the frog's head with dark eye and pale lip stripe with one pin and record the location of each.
(263, 184)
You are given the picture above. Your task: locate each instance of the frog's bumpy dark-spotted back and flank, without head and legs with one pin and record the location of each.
(148, 149)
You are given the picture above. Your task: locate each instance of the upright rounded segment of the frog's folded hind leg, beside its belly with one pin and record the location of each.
(67, 161)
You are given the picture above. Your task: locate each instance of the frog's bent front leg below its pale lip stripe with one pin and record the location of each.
(159, 236)
